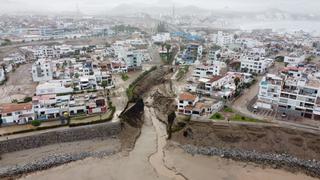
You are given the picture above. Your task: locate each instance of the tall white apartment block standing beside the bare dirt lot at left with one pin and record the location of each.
(42, 71)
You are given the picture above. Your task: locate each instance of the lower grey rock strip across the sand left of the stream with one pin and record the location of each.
(49, 162)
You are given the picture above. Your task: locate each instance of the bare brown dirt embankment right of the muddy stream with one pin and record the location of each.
(265, 139)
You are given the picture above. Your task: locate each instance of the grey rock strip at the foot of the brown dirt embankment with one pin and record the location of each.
(310, 167)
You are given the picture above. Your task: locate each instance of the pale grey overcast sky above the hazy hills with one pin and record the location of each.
(91, 6)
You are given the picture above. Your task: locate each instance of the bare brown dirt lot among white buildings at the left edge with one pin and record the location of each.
(19, 85)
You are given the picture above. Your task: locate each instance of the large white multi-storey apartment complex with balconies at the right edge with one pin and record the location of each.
(295, 92)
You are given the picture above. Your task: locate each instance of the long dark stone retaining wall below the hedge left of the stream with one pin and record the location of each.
(60, 136)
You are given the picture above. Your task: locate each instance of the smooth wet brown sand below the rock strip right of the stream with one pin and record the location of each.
(200, 167)
